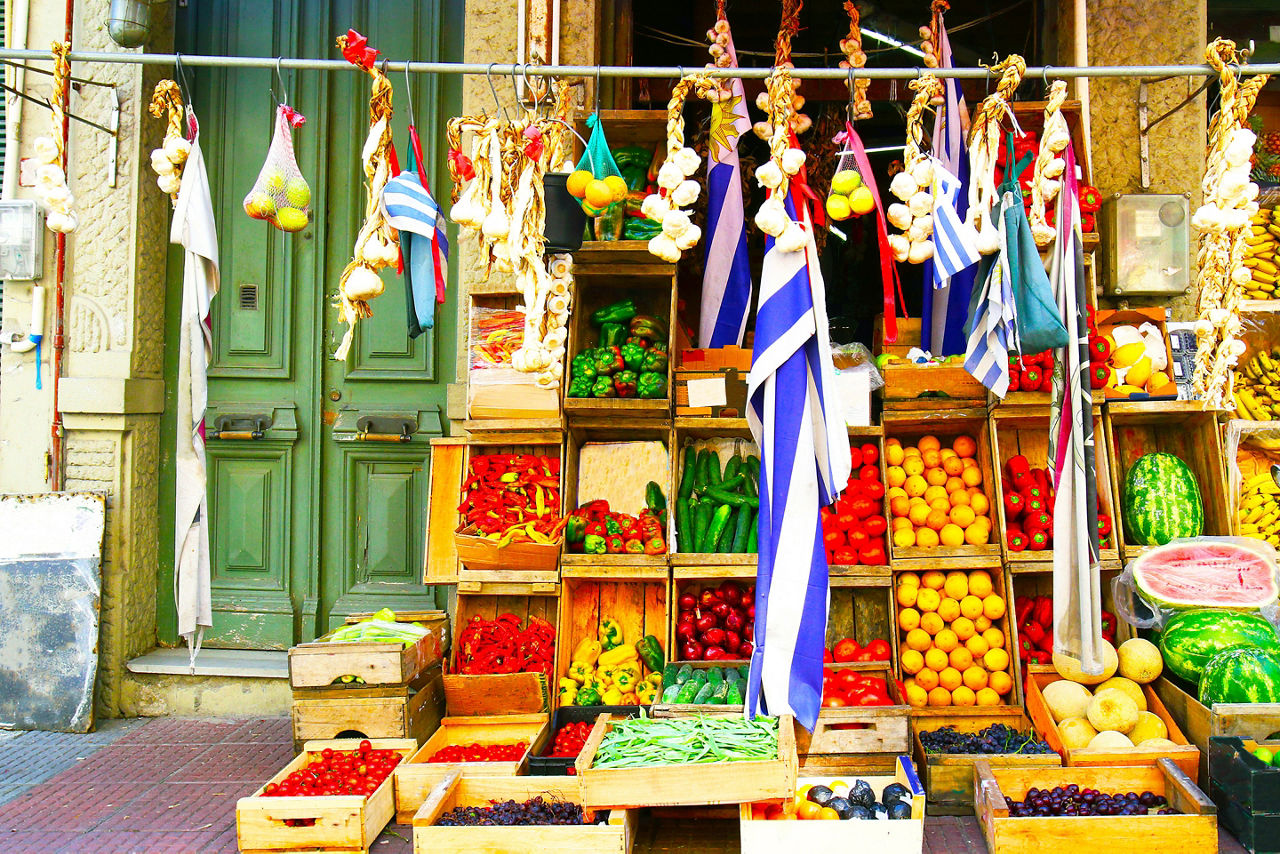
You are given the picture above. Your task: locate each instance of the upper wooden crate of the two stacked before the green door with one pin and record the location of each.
(321, 664)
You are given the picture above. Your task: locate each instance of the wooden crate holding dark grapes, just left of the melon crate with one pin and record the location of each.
(949, 778)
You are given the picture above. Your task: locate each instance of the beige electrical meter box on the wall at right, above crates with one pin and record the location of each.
(1146, 245)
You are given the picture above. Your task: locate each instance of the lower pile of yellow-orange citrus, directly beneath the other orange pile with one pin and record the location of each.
(953, 654)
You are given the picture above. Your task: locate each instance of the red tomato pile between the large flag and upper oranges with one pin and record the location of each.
(853, 529)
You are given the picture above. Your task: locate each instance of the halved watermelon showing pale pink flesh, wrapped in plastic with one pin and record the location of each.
(1206, 574)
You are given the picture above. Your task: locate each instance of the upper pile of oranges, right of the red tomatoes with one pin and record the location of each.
(936, 495)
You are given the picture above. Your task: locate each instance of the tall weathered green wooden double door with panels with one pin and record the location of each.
(314, 518)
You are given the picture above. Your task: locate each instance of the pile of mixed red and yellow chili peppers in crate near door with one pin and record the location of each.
(513, 497)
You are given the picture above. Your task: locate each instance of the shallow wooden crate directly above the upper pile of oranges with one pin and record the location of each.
(924, 389)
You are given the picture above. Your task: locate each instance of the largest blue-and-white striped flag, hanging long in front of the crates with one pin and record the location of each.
(804, 462)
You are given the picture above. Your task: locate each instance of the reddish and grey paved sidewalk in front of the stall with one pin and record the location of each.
(170, 787)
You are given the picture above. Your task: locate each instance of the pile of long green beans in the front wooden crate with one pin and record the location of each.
(642, 743)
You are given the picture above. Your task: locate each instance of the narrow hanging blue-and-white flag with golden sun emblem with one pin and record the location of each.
(728, 273)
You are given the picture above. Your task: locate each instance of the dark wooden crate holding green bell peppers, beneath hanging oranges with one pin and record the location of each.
(604, 275)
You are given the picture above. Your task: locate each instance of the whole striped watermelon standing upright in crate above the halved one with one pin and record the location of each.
(1162, 501)
